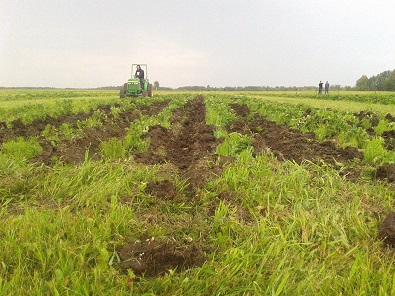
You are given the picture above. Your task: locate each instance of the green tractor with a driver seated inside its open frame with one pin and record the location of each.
(138, 84)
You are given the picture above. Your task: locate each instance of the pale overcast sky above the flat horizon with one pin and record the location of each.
(85, 44)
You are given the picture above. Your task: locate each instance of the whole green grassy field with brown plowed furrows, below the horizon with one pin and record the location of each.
(254, 193)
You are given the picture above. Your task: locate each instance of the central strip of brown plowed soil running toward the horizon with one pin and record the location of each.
(189, 146)
